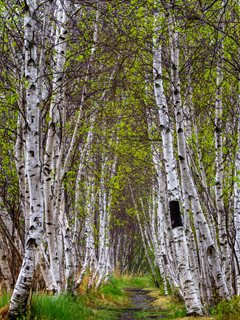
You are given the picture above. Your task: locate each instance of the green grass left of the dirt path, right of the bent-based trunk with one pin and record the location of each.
(89, 304)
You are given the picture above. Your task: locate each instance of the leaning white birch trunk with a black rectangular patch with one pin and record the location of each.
(190, 293)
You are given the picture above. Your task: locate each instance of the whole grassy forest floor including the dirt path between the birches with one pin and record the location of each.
(122, 298)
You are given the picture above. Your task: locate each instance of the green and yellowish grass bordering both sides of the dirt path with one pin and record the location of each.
(107, 303)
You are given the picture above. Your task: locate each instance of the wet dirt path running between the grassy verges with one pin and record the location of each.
(141, 306)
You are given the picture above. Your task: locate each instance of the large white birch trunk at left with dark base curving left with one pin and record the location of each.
(33, 165)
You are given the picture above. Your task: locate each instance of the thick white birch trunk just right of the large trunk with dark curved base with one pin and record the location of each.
(54, 152)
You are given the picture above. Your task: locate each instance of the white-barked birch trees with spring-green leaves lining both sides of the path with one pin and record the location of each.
(120, 118)
